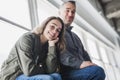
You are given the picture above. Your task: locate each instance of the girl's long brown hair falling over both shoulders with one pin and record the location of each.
(40, 29)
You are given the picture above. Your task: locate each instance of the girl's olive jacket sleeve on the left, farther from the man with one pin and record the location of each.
(25, 55)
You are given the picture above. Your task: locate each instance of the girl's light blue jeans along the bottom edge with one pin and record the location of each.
(54, 76)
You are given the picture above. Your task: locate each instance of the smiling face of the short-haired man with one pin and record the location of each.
(67, 13)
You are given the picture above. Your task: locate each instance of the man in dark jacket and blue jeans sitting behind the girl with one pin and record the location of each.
(75, 61)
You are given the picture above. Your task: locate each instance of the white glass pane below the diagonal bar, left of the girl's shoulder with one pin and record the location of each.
(8, 36)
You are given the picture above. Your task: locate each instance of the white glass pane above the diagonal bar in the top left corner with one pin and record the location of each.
(16, 11)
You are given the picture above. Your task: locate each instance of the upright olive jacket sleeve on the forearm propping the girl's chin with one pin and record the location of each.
(51, 60)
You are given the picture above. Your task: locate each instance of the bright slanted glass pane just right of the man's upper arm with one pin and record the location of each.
(92, 48)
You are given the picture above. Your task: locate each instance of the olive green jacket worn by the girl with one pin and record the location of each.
(29, 57)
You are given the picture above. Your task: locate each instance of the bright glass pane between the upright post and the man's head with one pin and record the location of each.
(45, 9)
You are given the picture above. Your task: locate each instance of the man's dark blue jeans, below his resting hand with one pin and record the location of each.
(88, 73)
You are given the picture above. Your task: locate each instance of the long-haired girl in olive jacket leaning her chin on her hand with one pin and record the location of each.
(35, 55)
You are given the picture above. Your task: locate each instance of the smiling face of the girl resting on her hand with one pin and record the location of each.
(52, 30)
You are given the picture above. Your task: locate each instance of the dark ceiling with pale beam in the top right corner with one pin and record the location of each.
(110, 10)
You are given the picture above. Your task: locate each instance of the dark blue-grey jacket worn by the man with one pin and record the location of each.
(71, 57)
